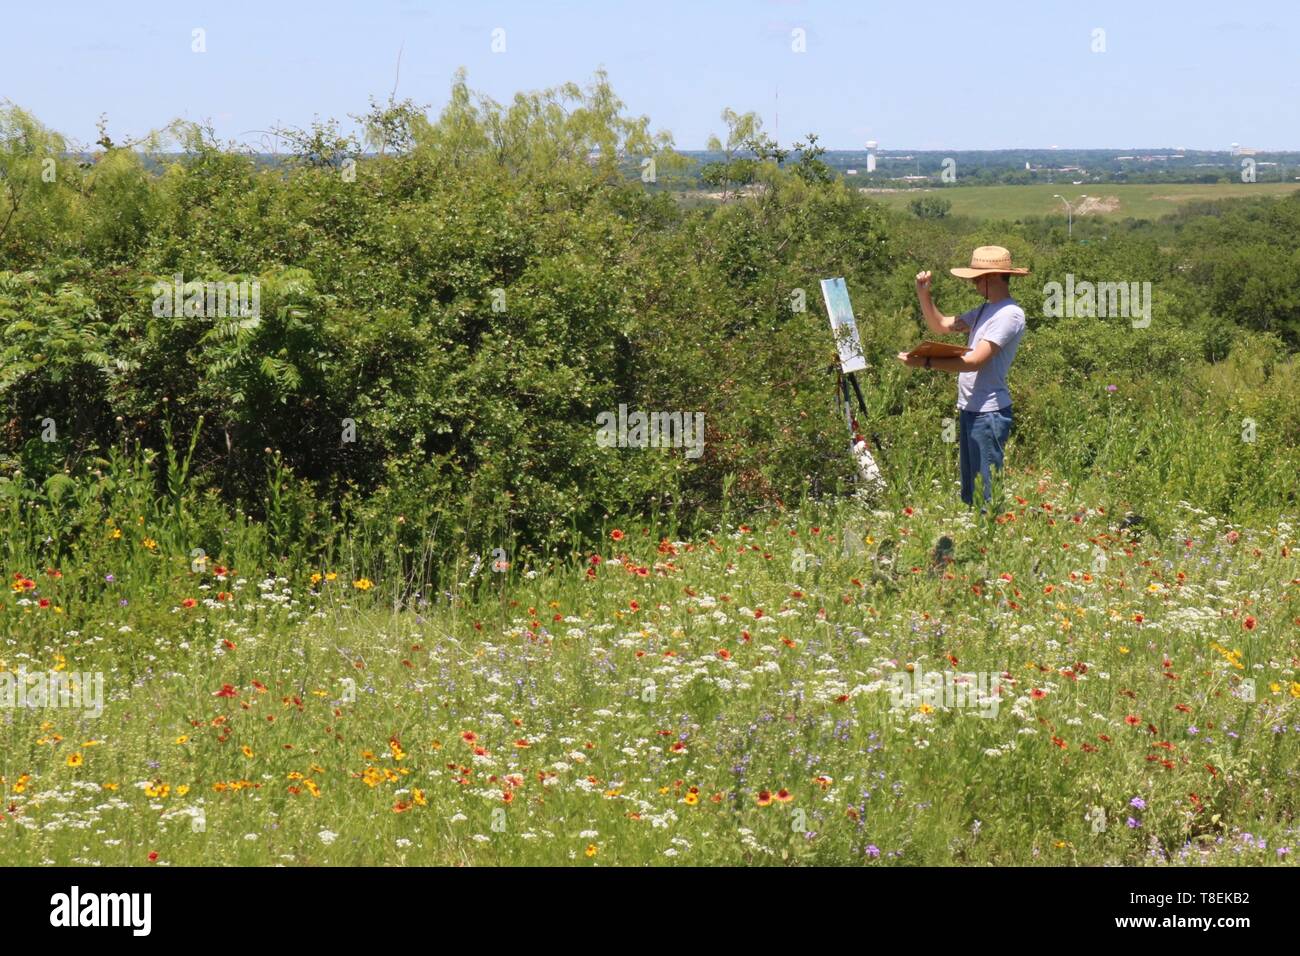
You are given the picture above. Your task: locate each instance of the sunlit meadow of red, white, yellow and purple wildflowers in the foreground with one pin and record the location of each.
(723, 700)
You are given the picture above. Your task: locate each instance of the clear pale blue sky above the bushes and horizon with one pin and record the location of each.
(934, 75)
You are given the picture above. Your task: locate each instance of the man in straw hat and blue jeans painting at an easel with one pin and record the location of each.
(994, 335)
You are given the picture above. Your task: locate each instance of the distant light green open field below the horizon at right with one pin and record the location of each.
(1141, 201)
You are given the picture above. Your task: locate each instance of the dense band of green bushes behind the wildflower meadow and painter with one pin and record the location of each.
(441, 327)
